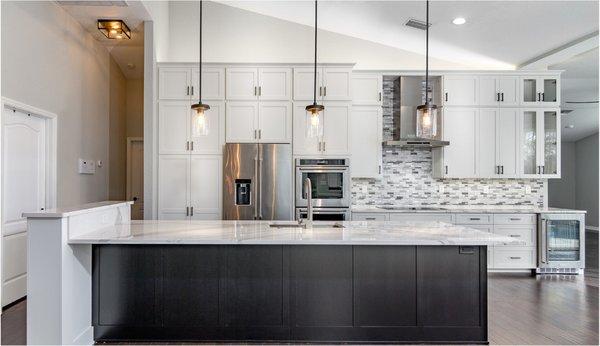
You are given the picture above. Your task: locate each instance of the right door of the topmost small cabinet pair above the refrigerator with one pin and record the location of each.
(275, 83)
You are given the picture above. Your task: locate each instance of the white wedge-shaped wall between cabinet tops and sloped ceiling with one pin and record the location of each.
(234, 35)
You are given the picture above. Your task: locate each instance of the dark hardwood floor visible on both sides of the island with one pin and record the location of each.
(523, 310)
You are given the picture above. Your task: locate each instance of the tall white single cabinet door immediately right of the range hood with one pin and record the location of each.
(459, 129)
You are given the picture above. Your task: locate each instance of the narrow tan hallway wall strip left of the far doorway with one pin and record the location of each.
(117, 133)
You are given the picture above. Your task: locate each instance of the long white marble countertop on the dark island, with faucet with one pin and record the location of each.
(259, 232)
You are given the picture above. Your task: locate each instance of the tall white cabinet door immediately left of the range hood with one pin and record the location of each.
(366, 137)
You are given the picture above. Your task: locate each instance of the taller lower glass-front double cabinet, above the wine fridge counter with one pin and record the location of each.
(540, 145)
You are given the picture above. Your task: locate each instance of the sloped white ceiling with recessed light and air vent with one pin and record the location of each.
(497, 35)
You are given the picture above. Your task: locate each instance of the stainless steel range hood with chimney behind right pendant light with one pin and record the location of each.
(408, 93)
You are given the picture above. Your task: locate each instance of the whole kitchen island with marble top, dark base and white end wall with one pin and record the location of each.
(122, 280)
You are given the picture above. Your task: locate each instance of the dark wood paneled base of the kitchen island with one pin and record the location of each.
(290, 293)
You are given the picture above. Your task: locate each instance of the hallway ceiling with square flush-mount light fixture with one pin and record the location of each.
(129, 54)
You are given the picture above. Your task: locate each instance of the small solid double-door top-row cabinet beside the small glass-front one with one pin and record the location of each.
(498, 91)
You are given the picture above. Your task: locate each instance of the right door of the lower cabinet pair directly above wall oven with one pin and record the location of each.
(336, 128)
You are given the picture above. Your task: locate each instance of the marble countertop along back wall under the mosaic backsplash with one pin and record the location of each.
(463, 210)
